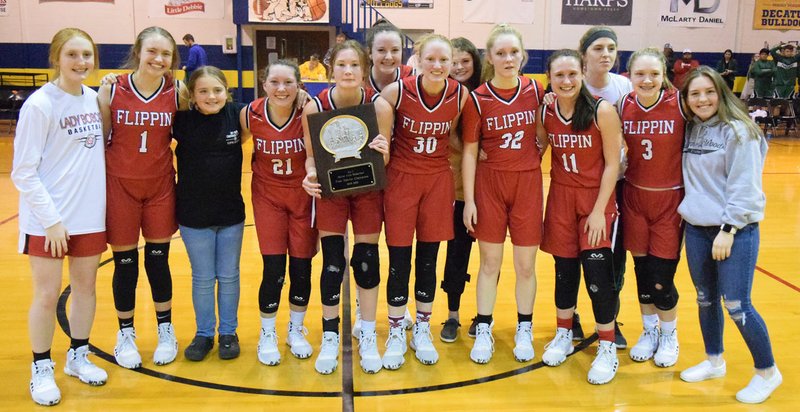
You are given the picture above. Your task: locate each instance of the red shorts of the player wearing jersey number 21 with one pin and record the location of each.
(283, 220)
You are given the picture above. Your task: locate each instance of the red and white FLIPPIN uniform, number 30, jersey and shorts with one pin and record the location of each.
(420, 192)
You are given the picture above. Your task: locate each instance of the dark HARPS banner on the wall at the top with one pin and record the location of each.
(608, 13)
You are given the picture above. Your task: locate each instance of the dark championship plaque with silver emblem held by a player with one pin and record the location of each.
(345, 164)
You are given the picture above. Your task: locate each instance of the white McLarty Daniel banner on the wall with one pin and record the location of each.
(693, 13)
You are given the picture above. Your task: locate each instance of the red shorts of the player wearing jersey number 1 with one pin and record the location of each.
(134, 204)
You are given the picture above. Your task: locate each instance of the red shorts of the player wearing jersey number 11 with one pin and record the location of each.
(567, 210)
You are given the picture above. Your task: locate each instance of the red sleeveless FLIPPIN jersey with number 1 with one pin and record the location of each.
(141, 130)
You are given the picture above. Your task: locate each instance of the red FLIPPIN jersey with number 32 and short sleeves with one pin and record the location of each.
(504, 121)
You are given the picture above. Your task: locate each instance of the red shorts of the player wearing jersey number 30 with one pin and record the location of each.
(421, 202)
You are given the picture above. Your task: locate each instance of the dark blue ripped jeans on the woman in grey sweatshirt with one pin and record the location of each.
(731, 280)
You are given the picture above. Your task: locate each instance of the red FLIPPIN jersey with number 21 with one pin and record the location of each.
(279, 151)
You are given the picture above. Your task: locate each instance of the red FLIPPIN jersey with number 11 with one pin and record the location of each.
(577, 156)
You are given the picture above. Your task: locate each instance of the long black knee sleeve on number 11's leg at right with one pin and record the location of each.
(597, 267)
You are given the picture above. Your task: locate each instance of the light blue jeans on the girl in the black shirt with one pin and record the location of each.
(214, 254)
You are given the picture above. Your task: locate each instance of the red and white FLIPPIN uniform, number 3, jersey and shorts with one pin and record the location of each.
(654, 136)
